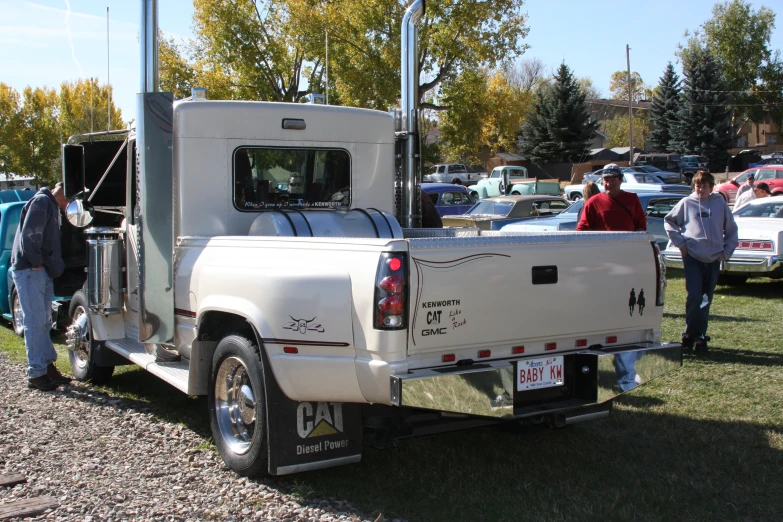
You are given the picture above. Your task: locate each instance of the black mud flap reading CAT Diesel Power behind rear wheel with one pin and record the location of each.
(303, 436)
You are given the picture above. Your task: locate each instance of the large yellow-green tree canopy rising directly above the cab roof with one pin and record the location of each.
(276, 49)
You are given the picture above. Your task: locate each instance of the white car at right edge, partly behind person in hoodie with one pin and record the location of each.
(760, 248)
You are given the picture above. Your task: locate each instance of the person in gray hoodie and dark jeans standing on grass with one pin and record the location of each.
(703, 228)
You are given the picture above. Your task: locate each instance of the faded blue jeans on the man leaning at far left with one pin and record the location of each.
(36, 291)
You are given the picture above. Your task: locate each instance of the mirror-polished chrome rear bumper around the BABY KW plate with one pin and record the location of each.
(488, 390)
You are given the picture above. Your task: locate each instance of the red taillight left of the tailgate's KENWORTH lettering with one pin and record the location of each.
(391, 292)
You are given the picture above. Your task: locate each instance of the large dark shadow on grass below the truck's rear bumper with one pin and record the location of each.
(632, 466)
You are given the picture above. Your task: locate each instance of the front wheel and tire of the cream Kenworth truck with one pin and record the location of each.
(82, 356)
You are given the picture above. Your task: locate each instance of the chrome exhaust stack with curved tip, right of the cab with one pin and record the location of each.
(409, 121)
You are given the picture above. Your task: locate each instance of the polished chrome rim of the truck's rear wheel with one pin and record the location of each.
(235, 405)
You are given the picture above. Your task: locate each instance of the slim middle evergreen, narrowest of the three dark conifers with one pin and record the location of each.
(665, 111)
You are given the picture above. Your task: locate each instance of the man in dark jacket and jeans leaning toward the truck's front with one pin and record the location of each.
(36, 259)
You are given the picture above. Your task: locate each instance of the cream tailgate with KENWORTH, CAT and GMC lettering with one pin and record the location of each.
(544, 291)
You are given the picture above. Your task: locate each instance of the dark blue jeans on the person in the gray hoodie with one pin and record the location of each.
(700, 281)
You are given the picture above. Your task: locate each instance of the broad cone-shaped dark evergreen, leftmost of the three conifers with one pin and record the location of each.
(559, 127)
